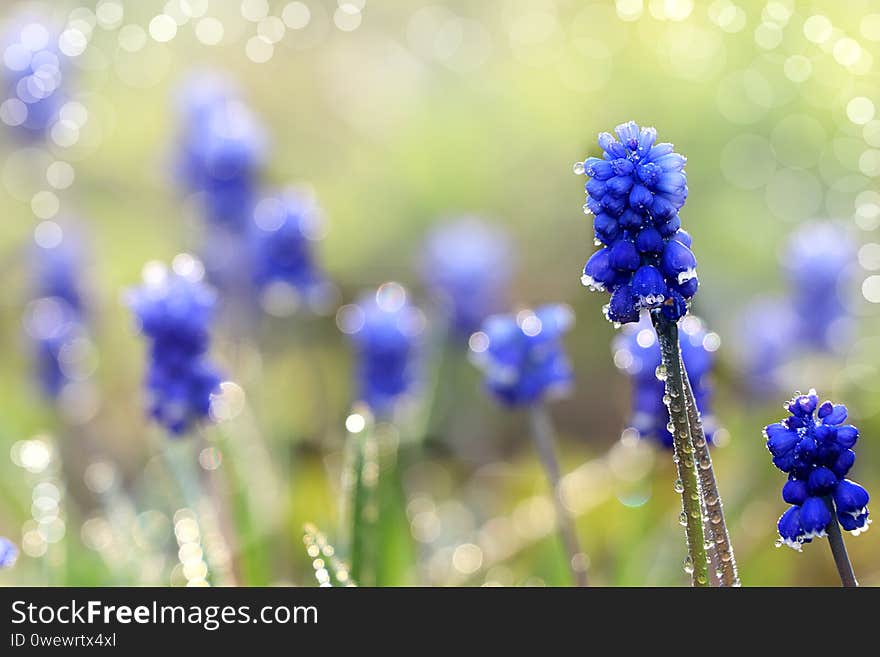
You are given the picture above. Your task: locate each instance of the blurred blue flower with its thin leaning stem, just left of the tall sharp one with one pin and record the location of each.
(524, 363)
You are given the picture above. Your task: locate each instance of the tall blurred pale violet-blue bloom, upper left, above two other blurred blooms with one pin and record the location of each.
(221, 149)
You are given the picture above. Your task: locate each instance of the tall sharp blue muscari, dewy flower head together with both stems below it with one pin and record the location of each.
(636, 189)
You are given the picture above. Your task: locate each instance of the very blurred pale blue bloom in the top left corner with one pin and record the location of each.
(33, 74)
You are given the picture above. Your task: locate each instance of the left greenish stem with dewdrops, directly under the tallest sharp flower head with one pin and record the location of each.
(683, 455)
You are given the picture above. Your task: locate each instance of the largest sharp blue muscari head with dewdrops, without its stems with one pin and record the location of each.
(635, 192)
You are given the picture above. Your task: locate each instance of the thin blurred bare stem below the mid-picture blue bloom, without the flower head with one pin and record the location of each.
(543, 435)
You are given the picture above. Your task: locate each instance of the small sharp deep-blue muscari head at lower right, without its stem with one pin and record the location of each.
(814, 446)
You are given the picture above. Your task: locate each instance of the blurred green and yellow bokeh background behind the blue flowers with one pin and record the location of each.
(400, 115)
